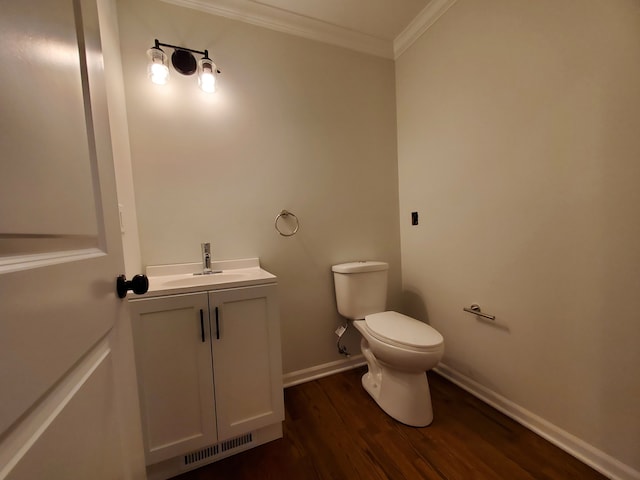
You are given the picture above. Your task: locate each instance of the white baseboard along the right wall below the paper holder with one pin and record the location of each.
(586, 453)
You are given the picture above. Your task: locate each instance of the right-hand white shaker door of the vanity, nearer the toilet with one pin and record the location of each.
(245, 338)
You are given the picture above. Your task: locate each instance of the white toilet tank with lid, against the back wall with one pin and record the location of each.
(361, 288)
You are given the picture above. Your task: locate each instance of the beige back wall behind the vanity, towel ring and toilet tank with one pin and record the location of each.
(296, 125)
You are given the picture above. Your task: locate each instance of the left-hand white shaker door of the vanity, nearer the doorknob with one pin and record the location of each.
(175, 382)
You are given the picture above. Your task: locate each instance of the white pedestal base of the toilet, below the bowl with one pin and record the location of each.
(403, 396)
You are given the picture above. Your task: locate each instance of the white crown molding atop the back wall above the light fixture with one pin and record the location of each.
(291, 23)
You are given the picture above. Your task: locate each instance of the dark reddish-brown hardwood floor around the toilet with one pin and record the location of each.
(334, 430)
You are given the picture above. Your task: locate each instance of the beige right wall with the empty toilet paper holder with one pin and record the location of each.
(518, 144)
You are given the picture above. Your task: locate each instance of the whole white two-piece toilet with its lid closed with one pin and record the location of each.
(398, 349)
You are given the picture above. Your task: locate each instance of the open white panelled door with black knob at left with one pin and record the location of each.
(65, 409)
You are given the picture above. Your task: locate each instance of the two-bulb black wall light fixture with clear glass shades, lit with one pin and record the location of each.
(184, 62)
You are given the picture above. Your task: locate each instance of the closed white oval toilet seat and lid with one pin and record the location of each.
(402, 331)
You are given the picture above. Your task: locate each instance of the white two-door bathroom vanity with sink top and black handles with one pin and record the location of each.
(208, 362)
